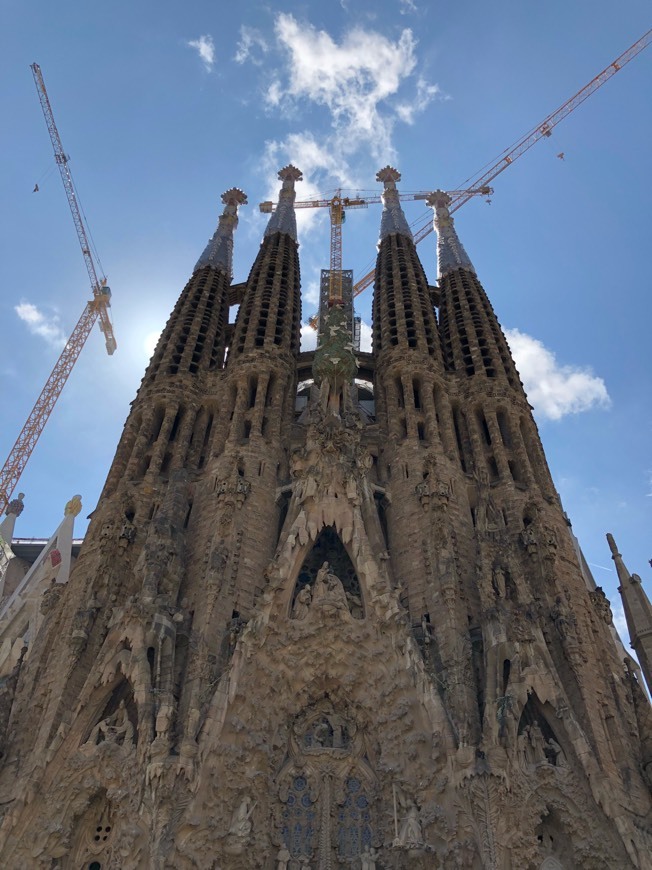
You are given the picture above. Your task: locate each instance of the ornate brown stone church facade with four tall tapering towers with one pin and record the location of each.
(329, 633)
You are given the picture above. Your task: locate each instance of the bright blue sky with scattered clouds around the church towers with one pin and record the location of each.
(162, 106)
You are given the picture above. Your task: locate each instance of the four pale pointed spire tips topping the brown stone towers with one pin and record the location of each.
(450, 251)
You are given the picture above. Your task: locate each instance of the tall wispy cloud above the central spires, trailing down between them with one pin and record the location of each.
(363, 85)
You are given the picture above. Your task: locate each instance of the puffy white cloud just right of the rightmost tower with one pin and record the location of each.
(554, 389)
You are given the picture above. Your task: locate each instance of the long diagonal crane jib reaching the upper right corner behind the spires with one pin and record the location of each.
(542, 130)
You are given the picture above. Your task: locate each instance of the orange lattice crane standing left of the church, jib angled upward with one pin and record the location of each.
(95, 309)
